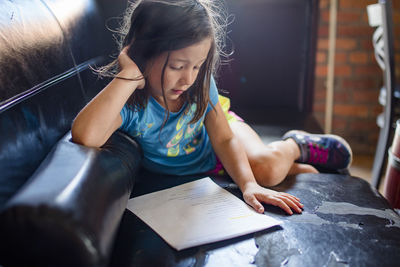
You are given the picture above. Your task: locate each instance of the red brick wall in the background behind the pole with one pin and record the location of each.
(358, 77)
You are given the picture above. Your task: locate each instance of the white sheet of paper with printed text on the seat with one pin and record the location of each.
(197, 213)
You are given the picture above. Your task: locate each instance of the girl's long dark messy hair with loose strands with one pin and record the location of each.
(153, 27)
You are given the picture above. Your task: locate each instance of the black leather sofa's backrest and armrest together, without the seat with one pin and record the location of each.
(61, 203)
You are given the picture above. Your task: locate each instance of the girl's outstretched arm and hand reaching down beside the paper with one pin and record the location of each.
(233, 156)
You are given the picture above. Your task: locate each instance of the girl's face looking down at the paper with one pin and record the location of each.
(180, 72)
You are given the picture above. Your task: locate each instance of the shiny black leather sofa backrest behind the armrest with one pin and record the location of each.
(46, 50)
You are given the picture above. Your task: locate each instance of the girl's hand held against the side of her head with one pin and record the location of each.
(129, 69)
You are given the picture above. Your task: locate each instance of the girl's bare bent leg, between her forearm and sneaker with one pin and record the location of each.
(272, 162)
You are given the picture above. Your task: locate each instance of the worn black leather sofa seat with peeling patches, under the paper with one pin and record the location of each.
(345, 222)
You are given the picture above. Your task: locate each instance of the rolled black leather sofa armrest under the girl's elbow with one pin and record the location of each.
(68, 212)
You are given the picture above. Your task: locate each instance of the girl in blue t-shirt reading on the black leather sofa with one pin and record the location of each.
(164, 95)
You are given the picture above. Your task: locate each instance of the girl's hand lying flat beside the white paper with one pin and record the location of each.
(253, 194)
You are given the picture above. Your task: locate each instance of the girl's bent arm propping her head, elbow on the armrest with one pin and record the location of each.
(97, 121)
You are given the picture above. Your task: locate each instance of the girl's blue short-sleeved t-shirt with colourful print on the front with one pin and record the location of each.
(181, 148)
